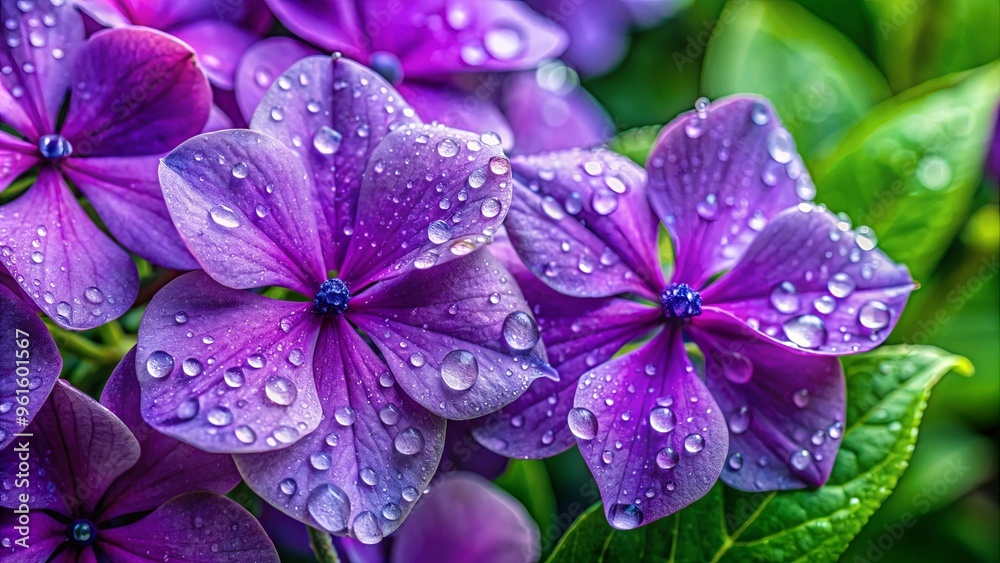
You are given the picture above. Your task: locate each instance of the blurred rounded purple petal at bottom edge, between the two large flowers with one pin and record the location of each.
(466, 518)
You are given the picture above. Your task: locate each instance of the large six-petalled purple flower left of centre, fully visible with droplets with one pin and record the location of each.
(335, 403)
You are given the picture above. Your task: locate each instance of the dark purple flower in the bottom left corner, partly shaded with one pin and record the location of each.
(103, 484)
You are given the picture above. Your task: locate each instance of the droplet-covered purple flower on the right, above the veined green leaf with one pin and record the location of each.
(769, 287)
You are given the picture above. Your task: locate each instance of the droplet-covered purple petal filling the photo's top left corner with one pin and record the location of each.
(40, 46)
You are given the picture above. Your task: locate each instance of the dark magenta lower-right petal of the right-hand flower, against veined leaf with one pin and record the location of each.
(785, 411)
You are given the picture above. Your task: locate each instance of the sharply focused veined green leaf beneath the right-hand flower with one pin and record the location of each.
(887, 392)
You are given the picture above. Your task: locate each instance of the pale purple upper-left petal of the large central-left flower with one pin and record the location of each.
(241, 202)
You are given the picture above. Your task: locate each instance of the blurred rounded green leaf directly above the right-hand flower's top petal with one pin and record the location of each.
(816, 78)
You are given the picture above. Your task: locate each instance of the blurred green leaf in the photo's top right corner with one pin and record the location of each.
(917, 40)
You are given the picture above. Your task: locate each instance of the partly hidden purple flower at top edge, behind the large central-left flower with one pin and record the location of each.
(433, 51)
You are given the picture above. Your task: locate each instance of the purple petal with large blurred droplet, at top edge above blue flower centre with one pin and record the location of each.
(436, 37)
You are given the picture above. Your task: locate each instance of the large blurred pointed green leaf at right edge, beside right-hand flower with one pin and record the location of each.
(911, 167)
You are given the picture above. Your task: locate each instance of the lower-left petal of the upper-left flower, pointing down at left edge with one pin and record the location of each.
(73, 272)
